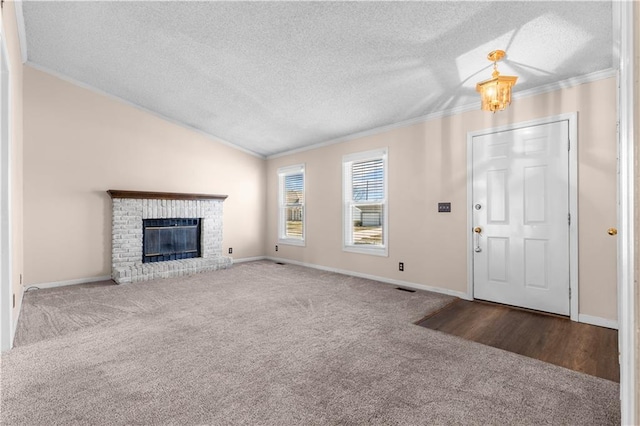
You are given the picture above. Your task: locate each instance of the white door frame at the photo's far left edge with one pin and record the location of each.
(6, 294)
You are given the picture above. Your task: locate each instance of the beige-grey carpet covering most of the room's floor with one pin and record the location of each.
(263, 343)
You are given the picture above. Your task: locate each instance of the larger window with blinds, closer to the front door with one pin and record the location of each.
(365, 202)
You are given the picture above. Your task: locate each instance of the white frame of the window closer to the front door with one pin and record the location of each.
(347, 203)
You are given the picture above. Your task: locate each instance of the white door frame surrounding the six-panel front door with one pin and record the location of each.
(572, 119)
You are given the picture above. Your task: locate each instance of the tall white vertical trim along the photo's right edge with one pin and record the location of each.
(626, 198)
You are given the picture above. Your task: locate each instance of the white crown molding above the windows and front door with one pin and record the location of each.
(564, 84)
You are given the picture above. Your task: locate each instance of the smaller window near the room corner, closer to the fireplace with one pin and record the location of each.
(291, 200)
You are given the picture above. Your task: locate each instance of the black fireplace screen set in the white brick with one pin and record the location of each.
(170, 239)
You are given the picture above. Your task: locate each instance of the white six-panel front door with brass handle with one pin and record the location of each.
(521, 217)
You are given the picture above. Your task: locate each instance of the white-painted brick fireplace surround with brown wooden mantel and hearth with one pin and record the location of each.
(132, 208)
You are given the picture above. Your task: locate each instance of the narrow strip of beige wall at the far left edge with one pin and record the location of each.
(15, 72)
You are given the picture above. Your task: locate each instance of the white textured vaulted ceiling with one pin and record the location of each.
(275, 76)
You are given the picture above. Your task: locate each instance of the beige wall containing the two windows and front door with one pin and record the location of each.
(427, 164)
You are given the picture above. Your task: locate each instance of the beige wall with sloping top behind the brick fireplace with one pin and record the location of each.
(78, 144)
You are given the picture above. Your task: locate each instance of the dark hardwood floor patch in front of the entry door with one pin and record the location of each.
(554, 339)
